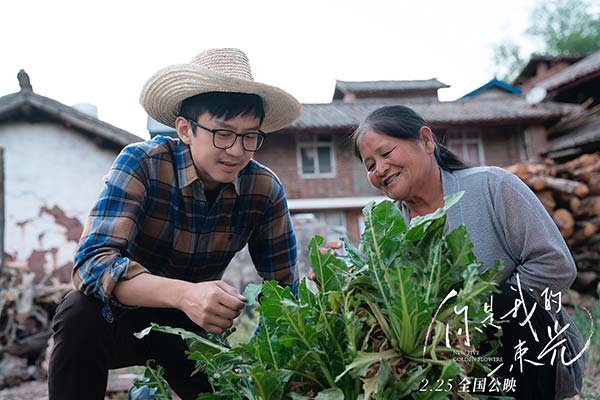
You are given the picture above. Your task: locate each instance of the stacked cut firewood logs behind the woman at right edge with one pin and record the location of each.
(570, 192)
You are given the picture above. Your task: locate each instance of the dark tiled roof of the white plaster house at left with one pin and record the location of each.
(29, 106)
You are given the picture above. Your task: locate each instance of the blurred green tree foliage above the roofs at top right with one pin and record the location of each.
(562, 27)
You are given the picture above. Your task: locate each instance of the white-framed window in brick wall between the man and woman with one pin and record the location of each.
(316, 157)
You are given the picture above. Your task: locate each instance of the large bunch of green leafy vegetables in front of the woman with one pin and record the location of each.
(405, 310)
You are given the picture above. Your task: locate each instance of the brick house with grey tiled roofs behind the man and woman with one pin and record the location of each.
(325, 182)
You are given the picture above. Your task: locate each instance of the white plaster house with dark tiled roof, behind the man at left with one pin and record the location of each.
(54, 158)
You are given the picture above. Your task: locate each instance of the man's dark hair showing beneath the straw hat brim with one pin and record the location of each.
(223, 105)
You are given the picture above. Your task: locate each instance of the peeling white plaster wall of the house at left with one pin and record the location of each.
(48, 165)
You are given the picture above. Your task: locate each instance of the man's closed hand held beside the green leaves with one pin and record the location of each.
(211, 305)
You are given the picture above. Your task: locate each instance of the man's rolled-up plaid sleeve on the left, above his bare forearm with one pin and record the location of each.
(101, 259)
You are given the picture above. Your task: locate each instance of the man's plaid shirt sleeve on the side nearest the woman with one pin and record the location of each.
(272, 245)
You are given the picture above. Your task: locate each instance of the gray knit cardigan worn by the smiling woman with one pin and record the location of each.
(506, 221)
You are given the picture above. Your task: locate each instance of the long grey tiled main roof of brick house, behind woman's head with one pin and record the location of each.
(471, 111)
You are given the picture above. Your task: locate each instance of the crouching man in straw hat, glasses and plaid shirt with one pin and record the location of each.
(171, 216)
